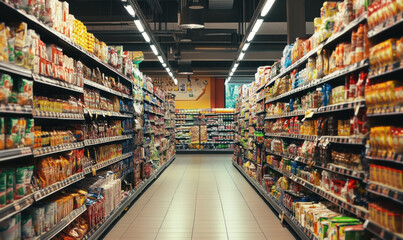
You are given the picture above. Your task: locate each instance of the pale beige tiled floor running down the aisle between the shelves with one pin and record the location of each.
(200, 197)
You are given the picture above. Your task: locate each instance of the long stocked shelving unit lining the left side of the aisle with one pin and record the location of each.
(67, 127)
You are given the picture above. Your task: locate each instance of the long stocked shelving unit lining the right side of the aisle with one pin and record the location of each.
(272, 140)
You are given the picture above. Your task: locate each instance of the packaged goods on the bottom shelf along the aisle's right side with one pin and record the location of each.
(309, 218)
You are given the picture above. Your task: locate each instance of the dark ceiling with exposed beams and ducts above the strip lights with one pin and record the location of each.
(212, 49)
